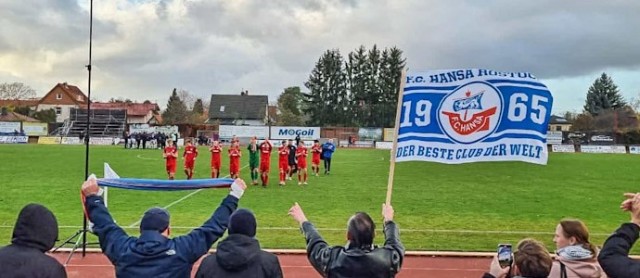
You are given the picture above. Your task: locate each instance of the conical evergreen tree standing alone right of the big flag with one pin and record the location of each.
(603, 95)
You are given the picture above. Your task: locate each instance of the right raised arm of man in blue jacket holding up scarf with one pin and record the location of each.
(199, 241)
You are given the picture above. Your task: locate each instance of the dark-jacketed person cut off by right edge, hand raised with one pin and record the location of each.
(614, 256)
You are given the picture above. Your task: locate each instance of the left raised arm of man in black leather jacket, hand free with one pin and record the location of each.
(318, 251)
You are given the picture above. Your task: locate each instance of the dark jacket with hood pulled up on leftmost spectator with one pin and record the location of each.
(35, 233)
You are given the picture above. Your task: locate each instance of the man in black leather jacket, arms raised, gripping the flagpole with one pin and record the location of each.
(359, 258)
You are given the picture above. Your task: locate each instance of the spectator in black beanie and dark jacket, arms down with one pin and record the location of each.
(239, 255)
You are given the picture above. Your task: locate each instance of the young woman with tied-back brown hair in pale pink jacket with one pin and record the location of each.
(575, 255)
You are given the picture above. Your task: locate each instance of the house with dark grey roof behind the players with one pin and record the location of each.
(243, 109)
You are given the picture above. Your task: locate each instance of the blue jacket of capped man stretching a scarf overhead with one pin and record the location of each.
(153, 255)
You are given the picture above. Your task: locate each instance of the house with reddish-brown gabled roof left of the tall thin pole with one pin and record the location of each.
(62, 98)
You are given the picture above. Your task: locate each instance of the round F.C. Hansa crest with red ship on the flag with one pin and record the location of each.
(470, 113)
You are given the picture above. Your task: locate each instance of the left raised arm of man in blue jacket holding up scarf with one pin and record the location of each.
(113, 239)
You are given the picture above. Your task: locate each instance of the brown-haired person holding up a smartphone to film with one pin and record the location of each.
(530, 259)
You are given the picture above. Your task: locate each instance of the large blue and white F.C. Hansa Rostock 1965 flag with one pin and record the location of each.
(471, 115)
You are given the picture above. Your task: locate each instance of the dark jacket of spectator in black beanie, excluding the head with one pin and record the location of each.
(240, 256)
